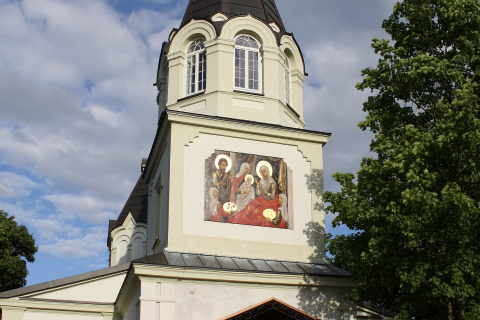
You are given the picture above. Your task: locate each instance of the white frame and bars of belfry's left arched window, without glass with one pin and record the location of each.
(196, 55)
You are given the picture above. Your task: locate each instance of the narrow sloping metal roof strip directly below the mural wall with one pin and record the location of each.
(191, 260)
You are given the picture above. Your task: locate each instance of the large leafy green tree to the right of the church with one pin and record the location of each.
(414, 207)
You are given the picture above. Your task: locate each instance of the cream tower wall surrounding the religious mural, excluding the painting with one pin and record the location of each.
(192, 141)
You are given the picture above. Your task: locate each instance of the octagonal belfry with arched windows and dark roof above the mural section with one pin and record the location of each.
(233, 59)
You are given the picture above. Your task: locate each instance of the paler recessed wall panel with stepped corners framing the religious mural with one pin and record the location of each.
(245, 241)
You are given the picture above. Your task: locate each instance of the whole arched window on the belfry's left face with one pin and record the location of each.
(196, 67)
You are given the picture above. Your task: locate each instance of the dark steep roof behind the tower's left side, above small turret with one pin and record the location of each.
(136, 204)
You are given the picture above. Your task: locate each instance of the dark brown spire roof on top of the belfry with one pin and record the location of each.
(265, 10)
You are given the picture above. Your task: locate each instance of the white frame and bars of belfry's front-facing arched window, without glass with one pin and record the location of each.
(247, 78)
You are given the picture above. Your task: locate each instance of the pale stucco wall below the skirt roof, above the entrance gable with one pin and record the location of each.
(203, 300)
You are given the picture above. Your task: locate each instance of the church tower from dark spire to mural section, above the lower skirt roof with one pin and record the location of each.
(227, 171)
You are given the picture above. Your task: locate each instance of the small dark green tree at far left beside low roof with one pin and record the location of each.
(16, 247)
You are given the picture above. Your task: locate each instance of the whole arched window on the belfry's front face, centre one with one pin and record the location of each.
(247, 64)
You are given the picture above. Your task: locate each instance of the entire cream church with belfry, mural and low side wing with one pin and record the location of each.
(222, 223)
